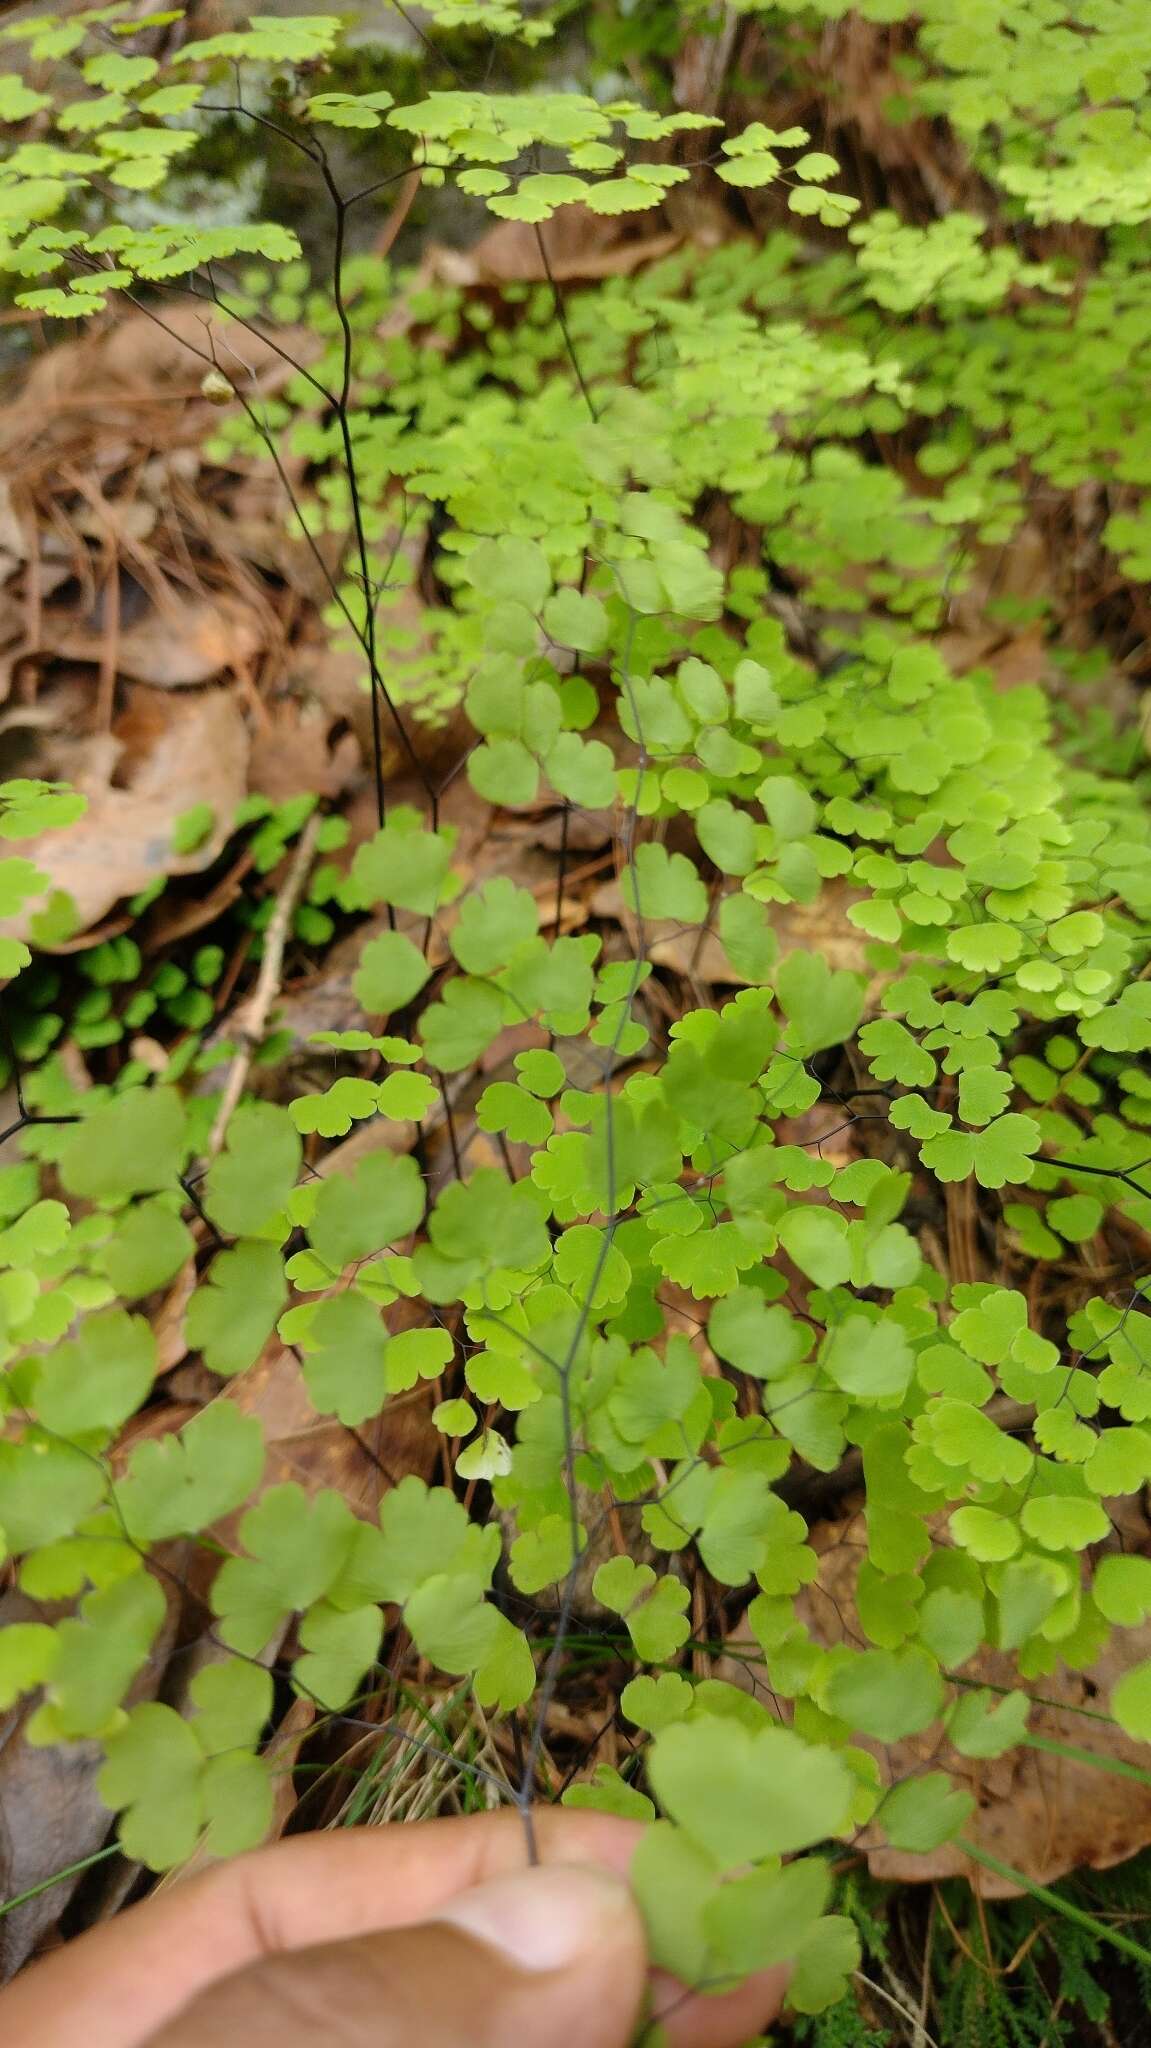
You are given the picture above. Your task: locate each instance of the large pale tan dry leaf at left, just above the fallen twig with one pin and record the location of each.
(126, 835)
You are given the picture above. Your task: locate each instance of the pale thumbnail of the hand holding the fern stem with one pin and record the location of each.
(542, 1920)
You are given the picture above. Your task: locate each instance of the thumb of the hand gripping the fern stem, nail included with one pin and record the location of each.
(546, 1957)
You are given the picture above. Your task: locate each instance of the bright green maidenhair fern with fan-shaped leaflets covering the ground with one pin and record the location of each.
(998, 890)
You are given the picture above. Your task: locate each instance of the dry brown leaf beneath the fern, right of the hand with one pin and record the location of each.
(1041, 1814)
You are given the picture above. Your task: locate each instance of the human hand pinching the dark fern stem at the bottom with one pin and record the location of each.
(429, 1934)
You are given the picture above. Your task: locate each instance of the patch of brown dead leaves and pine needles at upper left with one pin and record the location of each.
(161, 640)
